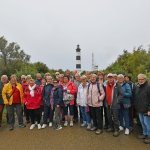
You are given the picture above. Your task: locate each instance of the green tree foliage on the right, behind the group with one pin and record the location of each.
(132, 63)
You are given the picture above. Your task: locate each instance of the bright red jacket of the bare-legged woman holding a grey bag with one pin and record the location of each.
(73, 90)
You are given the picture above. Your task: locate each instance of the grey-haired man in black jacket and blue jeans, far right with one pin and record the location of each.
(142, 105)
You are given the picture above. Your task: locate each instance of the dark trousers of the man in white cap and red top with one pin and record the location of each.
(113, 118)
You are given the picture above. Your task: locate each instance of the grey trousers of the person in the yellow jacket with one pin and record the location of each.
(11, 113)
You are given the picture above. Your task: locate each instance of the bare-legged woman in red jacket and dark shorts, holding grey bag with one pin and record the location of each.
(69, 91)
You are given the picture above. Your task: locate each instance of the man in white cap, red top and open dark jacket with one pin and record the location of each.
(114, 94)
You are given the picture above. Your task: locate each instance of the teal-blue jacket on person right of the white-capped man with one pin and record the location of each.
(127, 92)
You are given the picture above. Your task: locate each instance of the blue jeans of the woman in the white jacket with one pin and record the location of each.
(85, 115)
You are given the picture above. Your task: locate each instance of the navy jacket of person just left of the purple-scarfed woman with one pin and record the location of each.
(46, 94)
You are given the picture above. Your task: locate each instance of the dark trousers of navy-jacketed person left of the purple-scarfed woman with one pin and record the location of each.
(48, 113)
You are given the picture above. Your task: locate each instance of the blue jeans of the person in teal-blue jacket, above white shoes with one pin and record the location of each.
(124, 117)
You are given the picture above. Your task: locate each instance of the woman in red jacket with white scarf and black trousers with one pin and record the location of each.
(32, 99)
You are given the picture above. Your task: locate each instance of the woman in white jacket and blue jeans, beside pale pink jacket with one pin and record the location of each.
(82, 102)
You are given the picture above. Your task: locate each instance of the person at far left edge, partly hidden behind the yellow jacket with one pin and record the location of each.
(4, 80)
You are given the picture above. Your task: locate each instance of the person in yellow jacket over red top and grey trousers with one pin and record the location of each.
(13, 98)
